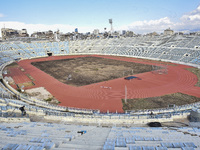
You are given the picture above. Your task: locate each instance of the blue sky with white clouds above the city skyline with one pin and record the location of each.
(139, 16)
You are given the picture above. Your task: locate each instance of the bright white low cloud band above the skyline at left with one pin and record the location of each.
(42, 27)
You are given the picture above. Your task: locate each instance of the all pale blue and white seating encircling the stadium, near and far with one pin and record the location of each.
(36, 135)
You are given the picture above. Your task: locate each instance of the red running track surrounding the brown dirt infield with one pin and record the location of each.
(95, 97)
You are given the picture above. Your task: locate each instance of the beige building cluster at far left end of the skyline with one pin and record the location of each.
(8, 33)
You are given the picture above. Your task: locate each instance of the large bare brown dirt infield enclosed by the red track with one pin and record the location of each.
(88, 70)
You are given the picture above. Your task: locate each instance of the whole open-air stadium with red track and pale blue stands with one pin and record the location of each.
(91, 115)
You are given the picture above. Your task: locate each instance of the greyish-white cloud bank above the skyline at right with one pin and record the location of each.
(188, 22)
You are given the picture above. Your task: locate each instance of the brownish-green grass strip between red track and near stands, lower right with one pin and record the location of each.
(159, 102)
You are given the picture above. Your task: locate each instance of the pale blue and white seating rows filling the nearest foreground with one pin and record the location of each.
(37, 135)
